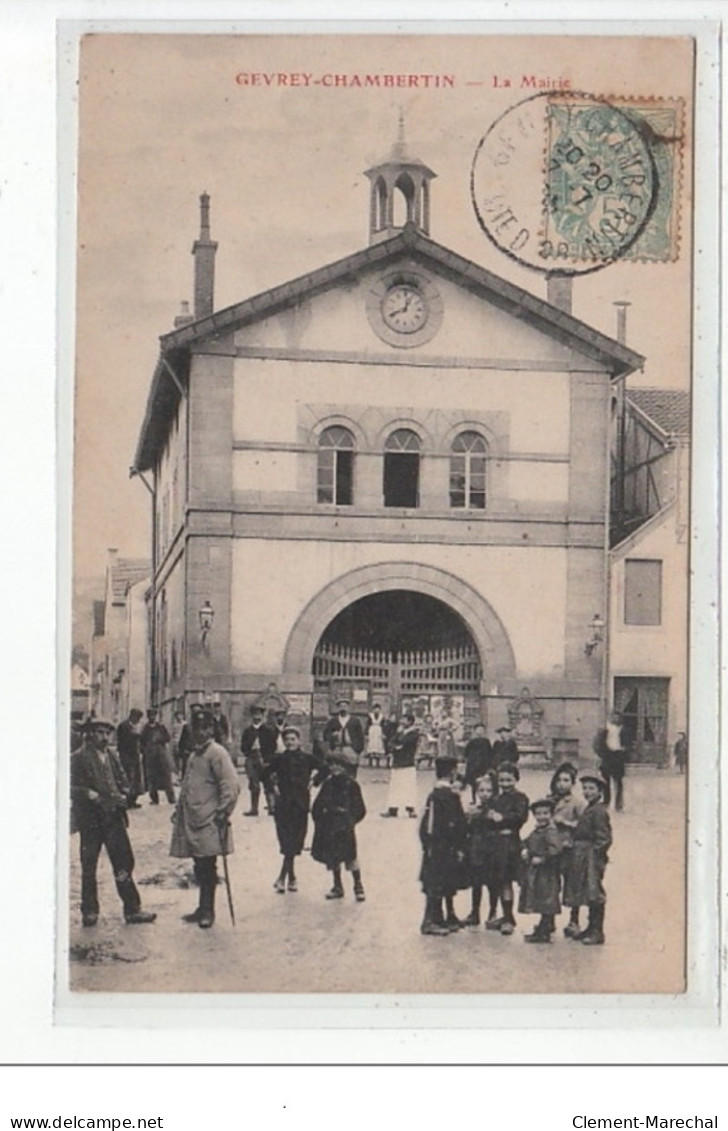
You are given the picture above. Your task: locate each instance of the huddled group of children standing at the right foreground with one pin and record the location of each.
(562, 861)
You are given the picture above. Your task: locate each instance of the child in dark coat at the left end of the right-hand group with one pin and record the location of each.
(444, 836)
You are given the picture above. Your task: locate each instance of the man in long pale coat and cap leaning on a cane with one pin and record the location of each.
(209, 797)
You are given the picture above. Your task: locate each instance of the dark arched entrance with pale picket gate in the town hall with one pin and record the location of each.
(403, 650)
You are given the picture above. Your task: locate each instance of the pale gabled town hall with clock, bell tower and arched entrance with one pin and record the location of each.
(387, 480)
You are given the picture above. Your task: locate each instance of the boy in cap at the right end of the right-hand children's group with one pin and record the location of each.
(585, 878)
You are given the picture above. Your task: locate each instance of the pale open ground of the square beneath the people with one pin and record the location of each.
(301, 944)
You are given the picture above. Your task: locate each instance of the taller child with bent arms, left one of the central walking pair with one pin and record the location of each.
(290, 775)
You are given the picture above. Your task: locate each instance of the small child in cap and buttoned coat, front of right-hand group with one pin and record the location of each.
(542, 876)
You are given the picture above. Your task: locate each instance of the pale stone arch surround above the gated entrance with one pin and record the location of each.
(491, 638)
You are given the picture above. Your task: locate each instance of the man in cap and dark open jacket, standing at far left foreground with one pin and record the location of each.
(100, 796)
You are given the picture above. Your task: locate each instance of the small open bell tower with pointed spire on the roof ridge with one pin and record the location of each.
(400, 192)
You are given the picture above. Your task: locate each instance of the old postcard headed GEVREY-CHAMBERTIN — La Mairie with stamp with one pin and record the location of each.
(382, 515)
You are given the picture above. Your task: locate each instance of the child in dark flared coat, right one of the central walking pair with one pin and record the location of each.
(337, 810)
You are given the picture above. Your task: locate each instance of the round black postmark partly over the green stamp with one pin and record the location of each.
(565, 183)
